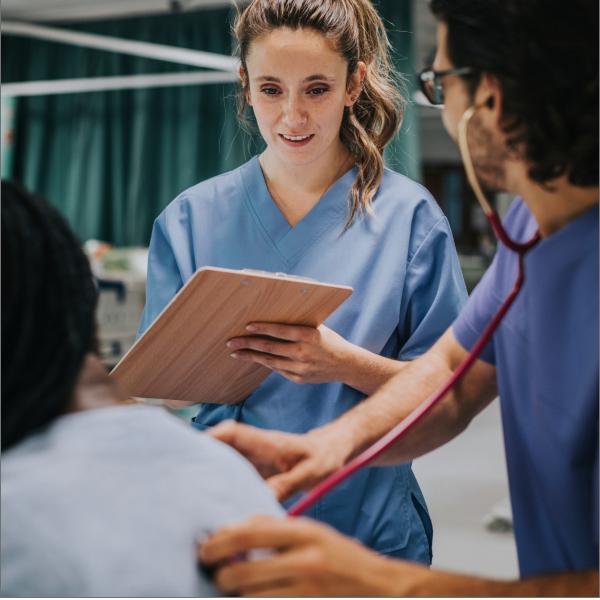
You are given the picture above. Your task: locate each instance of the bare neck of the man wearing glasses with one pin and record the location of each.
(553, 206)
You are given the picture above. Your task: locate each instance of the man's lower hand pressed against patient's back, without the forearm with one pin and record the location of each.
(309, 559)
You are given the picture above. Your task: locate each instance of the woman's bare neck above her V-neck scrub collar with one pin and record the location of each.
(297, 188)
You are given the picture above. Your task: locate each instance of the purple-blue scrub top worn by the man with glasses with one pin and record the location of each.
(546, 353)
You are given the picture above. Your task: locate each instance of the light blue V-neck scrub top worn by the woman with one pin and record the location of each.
(408, 288)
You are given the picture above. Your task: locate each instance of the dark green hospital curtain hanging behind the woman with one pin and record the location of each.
(111, 161)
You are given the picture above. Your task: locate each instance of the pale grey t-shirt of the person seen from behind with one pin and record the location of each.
(110, 502)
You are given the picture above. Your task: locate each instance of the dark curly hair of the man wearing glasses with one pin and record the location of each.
(544, 53)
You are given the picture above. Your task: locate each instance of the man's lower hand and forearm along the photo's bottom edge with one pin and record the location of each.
(311, 559)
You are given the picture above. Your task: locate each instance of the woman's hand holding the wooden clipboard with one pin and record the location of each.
(300, 354)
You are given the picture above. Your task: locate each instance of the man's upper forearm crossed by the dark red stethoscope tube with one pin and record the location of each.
(396, 399)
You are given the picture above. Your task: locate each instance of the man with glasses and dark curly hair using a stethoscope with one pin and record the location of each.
(518, 80)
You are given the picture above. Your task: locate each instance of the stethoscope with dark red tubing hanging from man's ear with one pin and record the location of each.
(418, 413)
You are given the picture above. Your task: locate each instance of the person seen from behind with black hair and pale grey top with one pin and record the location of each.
(99, 497)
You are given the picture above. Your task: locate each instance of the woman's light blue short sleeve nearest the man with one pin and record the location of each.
(434, 291)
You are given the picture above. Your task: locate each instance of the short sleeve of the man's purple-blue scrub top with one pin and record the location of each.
(480, 308)
